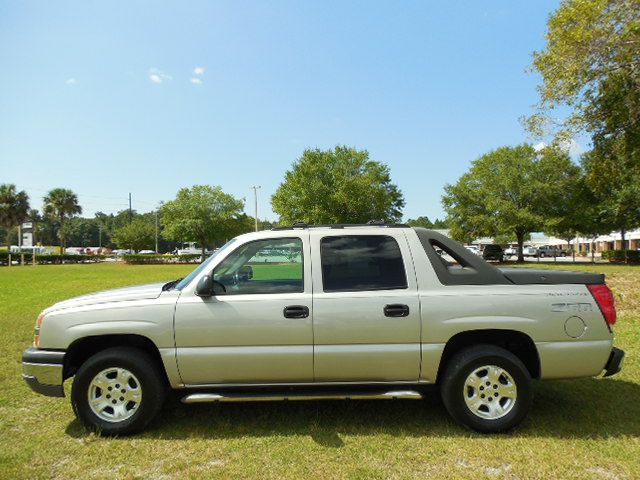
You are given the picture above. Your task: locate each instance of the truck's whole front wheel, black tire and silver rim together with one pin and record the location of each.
(118, 391)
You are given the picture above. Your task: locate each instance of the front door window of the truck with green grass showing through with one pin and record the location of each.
(263, 266)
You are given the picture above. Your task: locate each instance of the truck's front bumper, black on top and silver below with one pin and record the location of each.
(42, 370)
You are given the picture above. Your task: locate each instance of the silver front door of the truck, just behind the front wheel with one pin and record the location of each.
(245, 337)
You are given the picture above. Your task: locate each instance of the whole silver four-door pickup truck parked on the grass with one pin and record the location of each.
(327, 312)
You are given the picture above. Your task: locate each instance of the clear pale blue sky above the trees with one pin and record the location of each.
(108, 98)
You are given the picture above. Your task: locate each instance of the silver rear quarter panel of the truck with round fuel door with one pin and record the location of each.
(539, 311)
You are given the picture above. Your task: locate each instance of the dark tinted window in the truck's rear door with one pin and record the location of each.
(362, 262)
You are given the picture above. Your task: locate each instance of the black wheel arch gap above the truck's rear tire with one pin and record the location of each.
(517, 342)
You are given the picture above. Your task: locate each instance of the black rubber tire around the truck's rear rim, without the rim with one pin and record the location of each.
(462, 365)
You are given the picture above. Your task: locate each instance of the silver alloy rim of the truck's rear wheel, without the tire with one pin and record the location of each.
(490, 392)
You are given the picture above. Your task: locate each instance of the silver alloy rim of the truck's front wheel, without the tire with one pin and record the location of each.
(114, 394)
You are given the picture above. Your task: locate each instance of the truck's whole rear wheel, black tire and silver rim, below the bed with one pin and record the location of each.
(486, 388)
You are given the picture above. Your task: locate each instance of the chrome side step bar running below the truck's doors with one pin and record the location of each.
(292, 396)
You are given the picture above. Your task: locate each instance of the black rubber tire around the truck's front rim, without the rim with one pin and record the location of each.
(151, 383)
